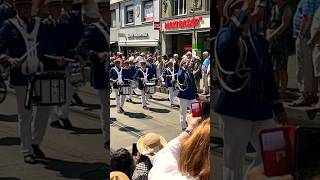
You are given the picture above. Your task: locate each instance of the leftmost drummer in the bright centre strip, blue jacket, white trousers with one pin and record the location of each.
(116, 75)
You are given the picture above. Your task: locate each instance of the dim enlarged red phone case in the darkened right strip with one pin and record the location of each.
(277, 150)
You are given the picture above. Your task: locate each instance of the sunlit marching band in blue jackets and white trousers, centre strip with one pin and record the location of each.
(143, 72)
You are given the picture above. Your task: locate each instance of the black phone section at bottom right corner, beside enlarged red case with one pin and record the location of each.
(307, 156)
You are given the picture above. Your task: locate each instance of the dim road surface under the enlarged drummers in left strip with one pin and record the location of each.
(73, 154)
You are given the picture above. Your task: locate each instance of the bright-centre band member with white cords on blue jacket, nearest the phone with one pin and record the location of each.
(187, 90)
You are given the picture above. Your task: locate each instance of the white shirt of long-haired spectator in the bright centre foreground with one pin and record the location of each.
(165, 163)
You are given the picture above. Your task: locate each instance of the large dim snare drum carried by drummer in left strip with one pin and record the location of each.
(47, 89)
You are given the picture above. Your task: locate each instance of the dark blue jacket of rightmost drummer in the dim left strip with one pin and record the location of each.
(92, 43)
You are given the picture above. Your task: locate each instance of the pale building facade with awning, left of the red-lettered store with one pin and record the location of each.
(132, 25)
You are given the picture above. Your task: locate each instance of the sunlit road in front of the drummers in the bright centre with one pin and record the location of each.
(126, 128)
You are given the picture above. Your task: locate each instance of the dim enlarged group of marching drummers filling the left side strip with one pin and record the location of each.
(45, 44)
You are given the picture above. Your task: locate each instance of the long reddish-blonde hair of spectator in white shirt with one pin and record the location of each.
(195, 152)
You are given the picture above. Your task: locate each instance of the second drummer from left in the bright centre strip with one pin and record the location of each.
(143, 76)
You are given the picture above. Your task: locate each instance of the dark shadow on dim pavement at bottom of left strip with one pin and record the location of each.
(80, 170)
